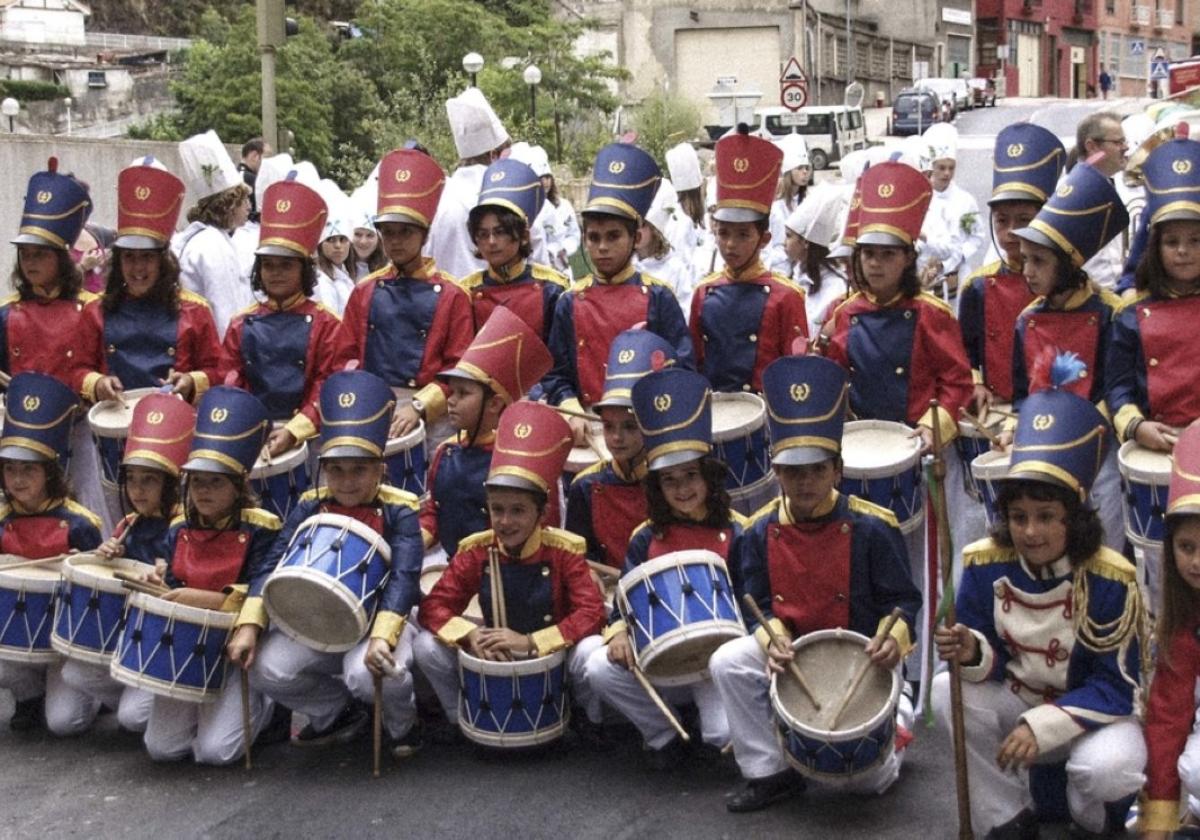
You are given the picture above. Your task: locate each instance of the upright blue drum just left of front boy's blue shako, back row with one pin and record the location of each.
(740, 440)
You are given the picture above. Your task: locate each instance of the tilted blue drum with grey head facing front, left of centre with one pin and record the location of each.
(323, 592)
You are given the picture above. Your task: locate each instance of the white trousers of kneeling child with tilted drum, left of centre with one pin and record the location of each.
(321, 685)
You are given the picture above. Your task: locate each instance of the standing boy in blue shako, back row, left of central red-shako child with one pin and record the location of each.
(616, 297)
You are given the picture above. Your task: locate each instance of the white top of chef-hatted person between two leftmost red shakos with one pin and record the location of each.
(209, 267)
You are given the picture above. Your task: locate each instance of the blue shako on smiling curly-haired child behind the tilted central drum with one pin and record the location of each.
(675, 412)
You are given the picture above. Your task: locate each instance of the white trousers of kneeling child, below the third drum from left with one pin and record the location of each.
(212, 733)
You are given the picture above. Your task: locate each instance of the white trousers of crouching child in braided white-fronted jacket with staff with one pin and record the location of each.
(1102, 766)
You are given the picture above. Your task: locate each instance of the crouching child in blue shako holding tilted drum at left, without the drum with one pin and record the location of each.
(356, 412)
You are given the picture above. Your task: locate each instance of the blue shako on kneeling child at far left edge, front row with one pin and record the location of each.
(38, 422)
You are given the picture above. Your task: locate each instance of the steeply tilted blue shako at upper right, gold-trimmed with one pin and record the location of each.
(1083, 215)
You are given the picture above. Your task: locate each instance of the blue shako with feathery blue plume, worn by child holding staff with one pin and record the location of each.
(1060, 437)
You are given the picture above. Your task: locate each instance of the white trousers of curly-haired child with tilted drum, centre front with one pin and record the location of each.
(615, 686)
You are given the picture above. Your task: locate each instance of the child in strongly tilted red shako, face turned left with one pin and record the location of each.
(505, 362)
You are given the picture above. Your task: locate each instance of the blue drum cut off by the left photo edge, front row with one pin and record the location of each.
(27, 613)
